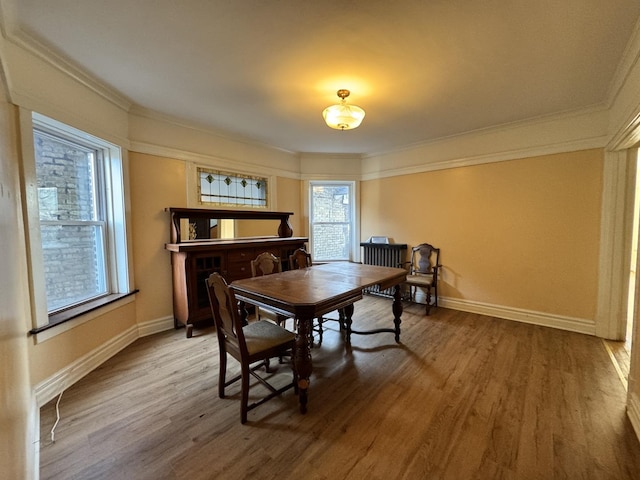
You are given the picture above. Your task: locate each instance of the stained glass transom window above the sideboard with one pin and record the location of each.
(224, 188)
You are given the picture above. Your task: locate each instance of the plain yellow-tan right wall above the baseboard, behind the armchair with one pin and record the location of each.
(521, 234)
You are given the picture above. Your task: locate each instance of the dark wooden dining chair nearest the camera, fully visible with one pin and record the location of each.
(248, 344)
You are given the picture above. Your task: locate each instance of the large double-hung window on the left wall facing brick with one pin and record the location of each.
(80, 212)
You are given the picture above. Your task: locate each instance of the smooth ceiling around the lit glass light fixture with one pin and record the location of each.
(265, 70)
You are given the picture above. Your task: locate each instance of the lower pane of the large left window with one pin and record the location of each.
(74, 264)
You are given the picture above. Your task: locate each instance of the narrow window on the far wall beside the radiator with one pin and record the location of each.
(332, 219)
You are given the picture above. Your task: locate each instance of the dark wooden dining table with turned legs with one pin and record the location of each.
(314, 291)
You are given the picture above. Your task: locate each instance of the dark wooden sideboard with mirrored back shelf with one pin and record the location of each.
(193, 261)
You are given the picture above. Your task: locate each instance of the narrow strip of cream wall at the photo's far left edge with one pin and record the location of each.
(17, 406)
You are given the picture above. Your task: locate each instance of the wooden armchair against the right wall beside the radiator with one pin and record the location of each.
(423, 273)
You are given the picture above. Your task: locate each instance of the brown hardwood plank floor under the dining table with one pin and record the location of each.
(463, 397)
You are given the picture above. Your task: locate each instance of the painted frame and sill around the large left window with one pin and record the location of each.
(118, 275)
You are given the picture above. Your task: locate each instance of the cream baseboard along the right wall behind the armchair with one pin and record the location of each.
(579, 325)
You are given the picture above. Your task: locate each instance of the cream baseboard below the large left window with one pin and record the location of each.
(48, 389)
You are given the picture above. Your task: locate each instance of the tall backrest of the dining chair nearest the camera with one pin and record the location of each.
(224, 308)
